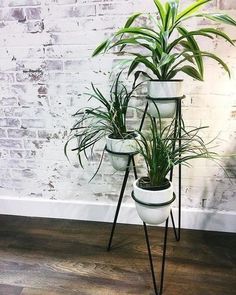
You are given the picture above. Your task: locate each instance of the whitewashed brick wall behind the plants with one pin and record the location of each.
(45, 66)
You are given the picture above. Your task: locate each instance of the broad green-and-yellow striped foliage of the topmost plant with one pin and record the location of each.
(165, 55)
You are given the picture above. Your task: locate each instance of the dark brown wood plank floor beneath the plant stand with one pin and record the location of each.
(61, 257)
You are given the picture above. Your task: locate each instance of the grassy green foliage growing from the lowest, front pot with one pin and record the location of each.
(161, 154)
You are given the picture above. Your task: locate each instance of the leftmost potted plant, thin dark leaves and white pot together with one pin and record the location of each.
(108, 121)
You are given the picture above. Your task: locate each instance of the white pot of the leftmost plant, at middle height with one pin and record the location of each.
(120, 162)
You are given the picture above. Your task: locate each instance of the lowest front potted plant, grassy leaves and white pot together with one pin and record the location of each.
(153, 194)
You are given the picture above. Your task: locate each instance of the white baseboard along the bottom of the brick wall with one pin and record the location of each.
(97, 211)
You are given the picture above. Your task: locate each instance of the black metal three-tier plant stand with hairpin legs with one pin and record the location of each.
(176, 229)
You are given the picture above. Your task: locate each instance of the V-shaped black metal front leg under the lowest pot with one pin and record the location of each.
(163, 258)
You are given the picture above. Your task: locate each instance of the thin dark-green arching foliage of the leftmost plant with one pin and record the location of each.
(109, 118)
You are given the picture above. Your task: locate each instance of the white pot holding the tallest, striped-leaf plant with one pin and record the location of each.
(163, 89)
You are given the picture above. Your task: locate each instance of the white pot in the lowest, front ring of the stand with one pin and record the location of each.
(155, 214)
